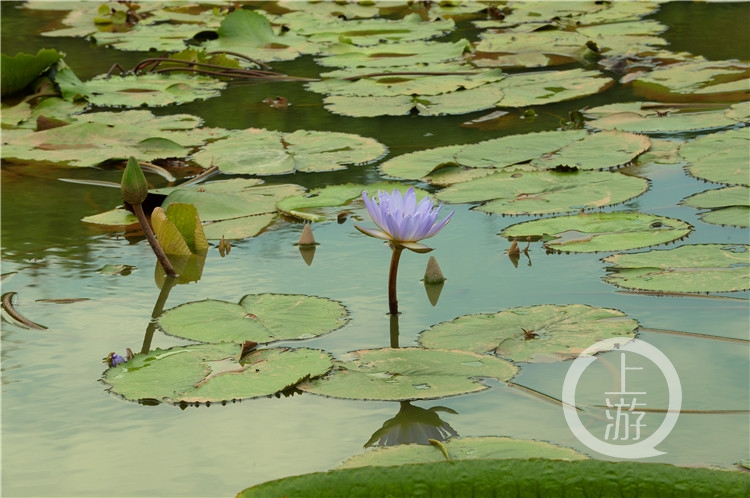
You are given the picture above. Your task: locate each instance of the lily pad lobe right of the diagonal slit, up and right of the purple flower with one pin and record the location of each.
(604, 150)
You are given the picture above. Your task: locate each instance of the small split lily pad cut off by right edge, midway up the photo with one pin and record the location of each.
(727, 206)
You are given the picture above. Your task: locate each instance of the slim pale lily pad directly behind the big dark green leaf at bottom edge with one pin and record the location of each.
(462, 448)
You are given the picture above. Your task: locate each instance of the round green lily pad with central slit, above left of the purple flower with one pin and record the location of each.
(262, 152)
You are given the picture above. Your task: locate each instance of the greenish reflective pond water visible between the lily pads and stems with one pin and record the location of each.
(64, 435)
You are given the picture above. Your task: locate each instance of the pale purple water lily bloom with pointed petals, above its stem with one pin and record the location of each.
(403, 221)
